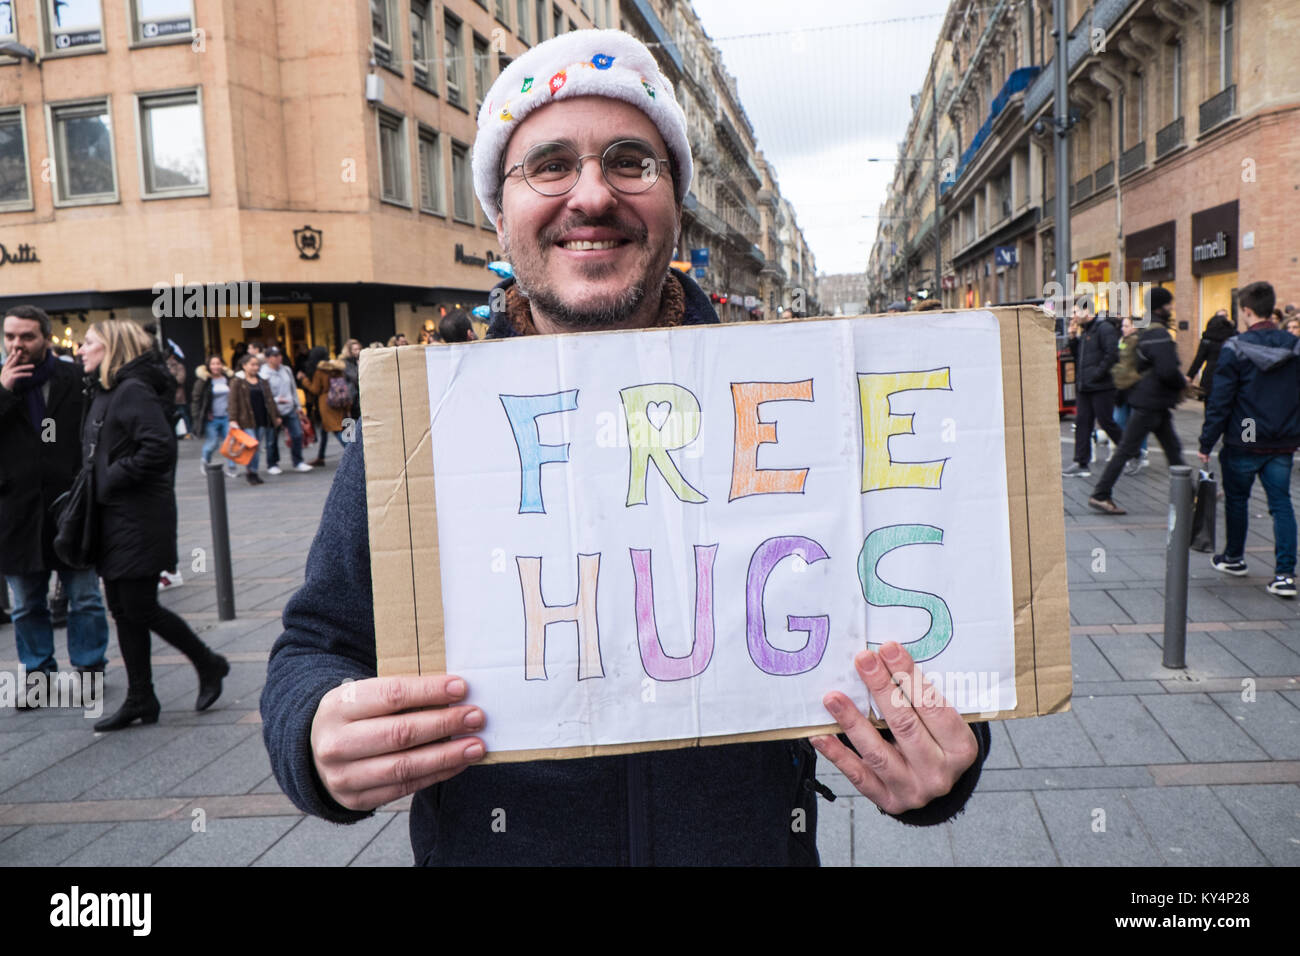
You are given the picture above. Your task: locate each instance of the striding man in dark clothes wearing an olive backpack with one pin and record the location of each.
(1152, 400)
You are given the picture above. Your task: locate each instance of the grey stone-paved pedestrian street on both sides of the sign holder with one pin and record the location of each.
(1151, 767)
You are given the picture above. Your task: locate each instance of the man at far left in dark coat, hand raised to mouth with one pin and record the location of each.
(41, 417)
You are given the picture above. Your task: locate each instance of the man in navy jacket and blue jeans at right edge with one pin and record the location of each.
(1255, 408)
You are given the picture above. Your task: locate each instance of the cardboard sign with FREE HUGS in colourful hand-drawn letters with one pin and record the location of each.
(635, 540)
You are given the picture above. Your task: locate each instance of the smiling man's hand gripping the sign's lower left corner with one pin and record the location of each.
(379, 739)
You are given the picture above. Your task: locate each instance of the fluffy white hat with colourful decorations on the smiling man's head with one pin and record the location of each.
(582, 63)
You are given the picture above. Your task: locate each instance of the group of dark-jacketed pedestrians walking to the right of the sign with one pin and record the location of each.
(1250, 383)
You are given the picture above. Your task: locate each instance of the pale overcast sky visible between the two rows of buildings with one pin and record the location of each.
(827, 90)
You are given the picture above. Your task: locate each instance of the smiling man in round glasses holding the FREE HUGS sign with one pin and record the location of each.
(583, 163)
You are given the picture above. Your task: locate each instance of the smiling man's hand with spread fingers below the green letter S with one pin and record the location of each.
(933, 745)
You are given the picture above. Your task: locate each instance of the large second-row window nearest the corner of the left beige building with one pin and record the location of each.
(174, 159)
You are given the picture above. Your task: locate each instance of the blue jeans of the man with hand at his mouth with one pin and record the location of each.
(88, 625)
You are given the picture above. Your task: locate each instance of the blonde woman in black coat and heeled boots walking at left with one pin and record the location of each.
(135, 451)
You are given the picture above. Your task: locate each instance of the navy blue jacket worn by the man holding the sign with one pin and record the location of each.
(708, 806)
